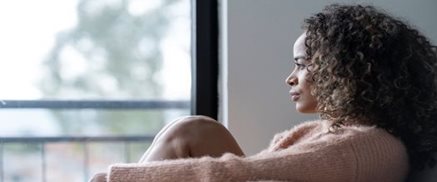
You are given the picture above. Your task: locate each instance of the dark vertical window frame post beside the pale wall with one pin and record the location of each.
(205, 58)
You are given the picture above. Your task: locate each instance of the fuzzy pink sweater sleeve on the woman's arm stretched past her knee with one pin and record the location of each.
(320, 161)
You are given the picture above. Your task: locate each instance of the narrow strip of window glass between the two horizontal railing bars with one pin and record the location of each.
(84, 122)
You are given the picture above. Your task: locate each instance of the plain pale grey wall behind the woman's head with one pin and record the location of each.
(257, 38)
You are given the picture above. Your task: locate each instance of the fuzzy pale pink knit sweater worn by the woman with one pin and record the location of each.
(307, 152)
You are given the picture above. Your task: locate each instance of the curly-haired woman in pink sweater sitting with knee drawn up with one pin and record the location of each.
(371, 78)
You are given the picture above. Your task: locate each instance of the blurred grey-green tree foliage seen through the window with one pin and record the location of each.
(110, 54)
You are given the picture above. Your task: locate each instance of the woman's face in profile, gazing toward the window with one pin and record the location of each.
(300, 91)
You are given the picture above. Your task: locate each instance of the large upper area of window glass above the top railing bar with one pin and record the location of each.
(95, 49)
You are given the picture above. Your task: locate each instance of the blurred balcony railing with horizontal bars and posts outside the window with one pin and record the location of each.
(84, 141)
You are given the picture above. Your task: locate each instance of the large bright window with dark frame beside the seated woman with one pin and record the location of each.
(89, 83)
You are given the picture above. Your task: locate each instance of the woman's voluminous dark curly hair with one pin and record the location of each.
(371, 67)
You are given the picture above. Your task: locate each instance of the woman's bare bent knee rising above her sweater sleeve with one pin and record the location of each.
(193, 136)
